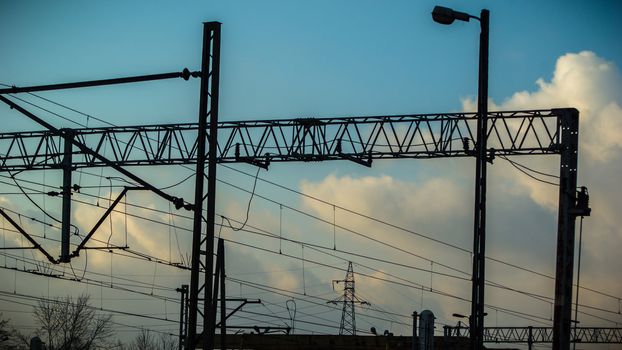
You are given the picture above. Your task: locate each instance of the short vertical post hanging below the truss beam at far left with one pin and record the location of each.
(66, 214)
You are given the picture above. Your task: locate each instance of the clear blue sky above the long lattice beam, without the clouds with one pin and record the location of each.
(328, 58)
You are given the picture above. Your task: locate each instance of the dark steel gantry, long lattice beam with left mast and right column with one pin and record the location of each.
(358, 139)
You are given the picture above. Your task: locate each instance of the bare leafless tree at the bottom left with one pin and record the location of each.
(68, 324)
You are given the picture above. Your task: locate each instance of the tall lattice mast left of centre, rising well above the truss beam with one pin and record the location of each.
(208, 106)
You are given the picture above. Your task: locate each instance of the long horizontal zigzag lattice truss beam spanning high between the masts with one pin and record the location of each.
(358, 139)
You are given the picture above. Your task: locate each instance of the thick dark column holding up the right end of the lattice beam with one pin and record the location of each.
(568, 123)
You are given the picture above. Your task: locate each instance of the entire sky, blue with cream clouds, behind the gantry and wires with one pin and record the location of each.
(291, 59)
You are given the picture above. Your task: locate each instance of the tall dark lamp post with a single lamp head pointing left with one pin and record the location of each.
(444, 15)
